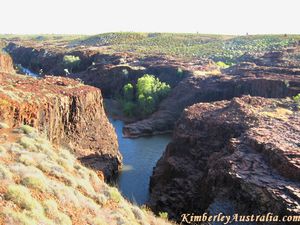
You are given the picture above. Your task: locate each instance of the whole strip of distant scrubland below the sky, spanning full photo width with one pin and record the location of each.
(224, 48)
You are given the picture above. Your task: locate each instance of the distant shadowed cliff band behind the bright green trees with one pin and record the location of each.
(107, 72)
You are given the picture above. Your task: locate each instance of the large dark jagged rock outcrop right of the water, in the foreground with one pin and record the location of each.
(238, 156)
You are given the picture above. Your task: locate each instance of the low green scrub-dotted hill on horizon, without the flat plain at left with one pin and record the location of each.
(217, 47)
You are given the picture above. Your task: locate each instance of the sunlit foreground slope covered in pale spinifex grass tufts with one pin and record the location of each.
(44, 184)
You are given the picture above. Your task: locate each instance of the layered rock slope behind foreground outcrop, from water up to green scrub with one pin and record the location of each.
(274, 75)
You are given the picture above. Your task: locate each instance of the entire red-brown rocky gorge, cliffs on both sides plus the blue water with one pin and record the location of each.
(235, 131)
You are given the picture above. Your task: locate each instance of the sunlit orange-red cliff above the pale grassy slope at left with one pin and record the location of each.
(68, 112)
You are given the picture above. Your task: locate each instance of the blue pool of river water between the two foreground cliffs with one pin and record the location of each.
(139, 157)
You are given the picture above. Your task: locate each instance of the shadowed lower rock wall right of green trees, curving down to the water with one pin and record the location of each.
(208, 89)
